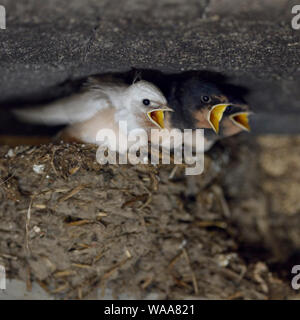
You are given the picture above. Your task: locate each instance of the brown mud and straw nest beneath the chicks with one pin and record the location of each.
(81, 230)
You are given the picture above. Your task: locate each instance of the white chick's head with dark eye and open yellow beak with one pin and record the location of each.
(147, 103)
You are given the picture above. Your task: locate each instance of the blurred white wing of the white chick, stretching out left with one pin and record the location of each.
(76, 108)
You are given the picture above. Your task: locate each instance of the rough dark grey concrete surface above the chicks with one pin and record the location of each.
(49, 42)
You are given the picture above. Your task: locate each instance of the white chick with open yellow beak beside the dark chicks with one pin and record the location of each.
(101, 104)
